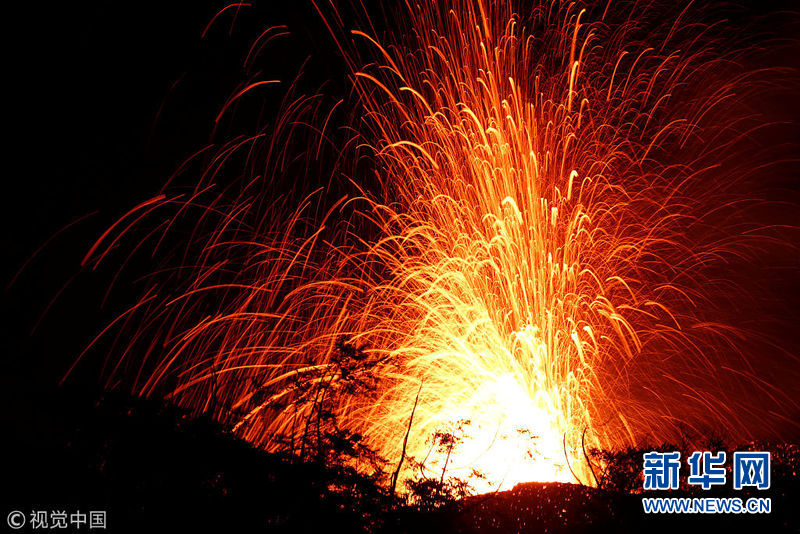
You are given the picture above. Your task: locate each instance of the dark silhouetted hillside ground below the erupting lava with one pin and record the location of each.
(155, 469)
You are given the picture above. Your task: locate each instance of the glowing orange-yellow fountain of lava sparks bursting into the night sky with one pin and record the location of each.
(530, 265)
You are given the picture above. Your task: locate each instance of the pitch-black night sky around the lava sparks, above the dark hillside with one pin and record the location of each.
(105, 100)
